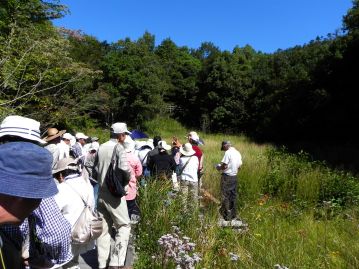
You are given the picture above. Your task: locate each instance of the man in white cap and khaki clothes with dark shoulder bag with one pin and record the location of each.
(113, 209)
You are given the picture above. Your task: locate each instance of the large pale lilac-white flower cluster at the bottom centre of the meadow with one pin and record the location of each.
(181, 250)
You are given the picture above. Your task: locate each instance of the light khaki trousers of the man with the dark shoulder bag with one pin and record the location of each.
(115, 214)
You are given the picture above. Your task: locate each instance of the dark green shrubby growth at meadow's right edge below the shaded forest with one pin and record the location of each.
(293, 177)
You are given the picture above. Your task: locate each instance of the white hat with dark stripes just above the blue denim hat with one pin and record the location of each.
(21, 127)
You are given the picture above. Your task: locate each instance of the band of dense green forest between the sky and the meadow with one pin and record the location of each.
(70, 79)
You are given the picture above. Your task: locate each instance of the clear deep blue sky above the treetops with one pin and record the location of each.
(266, 25)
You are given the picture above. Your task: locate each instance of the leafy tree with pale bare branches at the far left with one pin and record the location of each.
(37, 76)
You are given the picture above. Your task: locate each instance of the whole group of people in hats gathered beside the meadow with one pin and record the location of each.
(45, 181)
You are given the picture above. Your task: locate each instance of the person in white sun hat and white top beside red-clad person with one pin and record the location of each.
(188, 167)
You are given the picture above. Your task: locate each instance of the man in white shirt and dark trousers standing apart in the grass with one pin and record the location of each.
(229, 166)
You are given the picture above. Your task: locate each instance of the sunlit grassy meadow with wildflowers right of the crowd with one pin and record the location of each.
(300, 214)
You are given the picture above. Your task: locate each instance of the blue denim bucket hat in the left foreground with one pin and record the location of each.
(25, 171)
